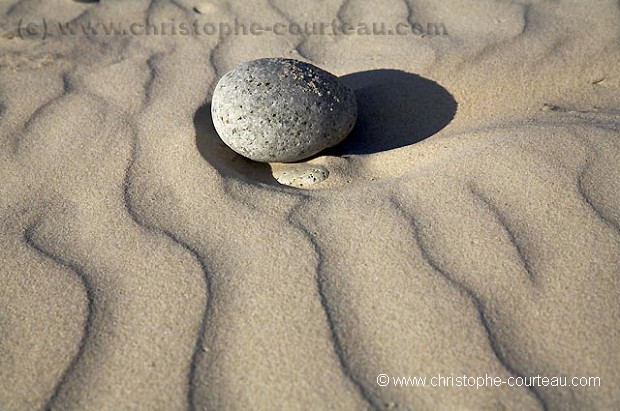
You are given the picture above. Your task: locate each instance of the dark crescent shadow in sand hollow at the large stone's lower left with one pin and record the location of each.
(220, 156)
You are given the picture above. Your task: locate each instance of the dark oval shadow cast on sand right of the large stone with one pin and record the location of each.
(395, 109)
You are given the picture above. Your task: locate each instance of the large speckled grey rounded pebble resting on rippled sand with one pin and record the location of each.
(281, 110)
